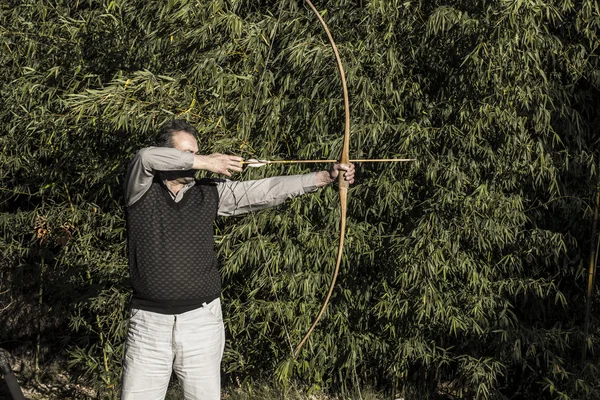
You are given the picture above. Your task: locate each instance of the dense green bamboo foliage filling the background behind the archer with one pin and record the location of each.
(464, 272)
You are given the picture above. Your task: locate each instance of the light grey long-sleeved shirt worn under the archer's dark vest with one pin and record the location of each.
(235, 197)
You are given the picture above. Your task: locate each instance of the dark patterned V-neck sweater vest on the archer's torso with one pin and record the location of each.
(172, 262)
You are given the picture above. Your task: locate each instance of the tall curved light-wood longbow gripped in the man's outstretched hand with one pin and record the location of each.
(343, 184)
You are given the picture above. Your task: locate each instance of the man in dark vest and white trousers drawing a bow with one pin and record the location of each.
(176, 322)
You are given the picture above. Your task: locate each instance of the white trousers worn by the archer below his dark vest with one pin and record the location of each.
(191, 344)
